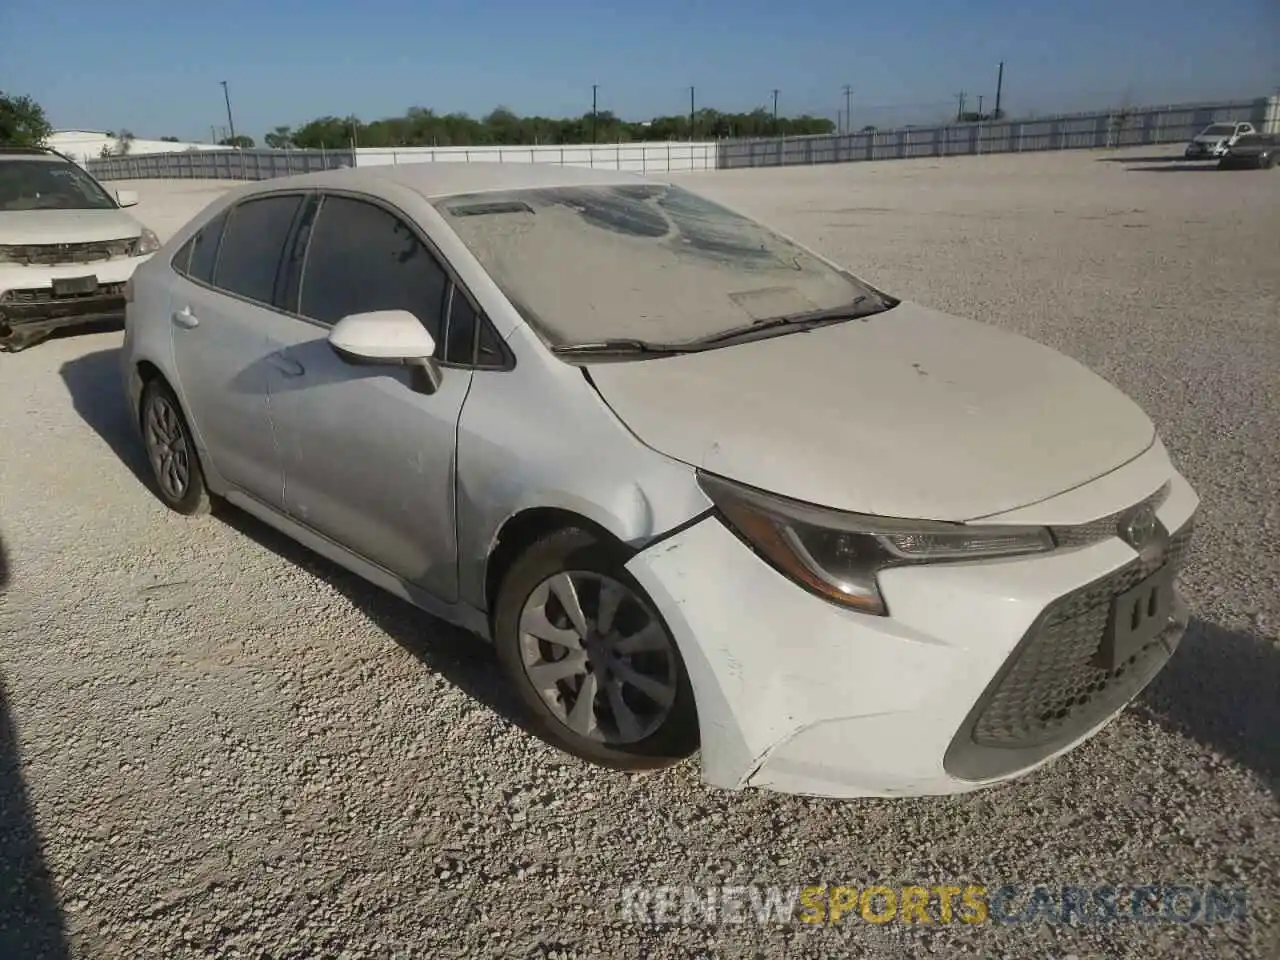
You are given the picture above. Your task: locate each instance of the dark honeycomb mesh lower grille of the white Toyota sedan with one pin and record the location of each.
(1054, 687)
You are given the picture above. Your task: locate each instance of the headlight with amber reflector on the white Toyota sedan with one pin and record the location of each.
(839, 555)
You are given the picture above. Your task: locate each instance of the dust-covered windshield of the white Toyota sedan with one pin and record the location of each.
(652, 263)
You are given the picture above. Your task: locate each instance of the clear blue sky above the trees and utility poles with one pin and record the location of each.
(154, 66)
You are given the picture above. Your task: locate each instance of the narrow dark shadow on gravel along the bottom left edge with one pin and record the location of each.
(31, 922)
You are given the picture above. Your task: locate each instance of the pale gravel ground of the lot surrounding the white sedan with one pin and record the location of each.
(216, 744)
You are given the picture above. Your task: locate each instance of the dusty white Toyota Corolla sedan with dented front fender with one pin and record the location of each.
(701, 487)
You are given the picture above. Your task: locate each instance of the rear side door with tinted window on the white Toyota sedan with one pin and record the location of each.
(220, 314)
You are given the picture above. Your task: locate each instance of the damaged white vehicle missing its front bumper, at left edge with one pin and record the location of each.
(67, 248)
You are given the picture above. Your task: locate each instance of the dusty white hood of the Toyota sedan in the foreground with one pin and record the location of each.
(907, 414)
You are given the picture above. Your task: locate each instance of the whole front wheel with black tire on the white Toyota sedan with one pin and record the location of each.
(642, 714)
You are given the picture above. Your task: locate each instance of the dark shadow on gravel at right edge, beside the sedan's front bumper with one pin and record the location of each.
(1223, 689)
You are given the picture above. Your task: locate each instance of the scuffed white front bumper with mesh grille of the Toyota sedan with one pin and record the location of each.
(947, 696)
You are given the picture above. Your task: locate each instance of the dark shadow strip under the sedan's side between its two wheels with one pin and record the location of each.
(460, 657)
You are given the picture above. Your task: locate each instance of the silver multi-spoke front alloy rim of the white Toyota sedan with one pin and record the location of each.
(598, 657)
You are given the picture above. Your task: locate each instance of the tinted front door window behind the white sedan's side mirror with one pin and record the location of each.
(363, 258)
